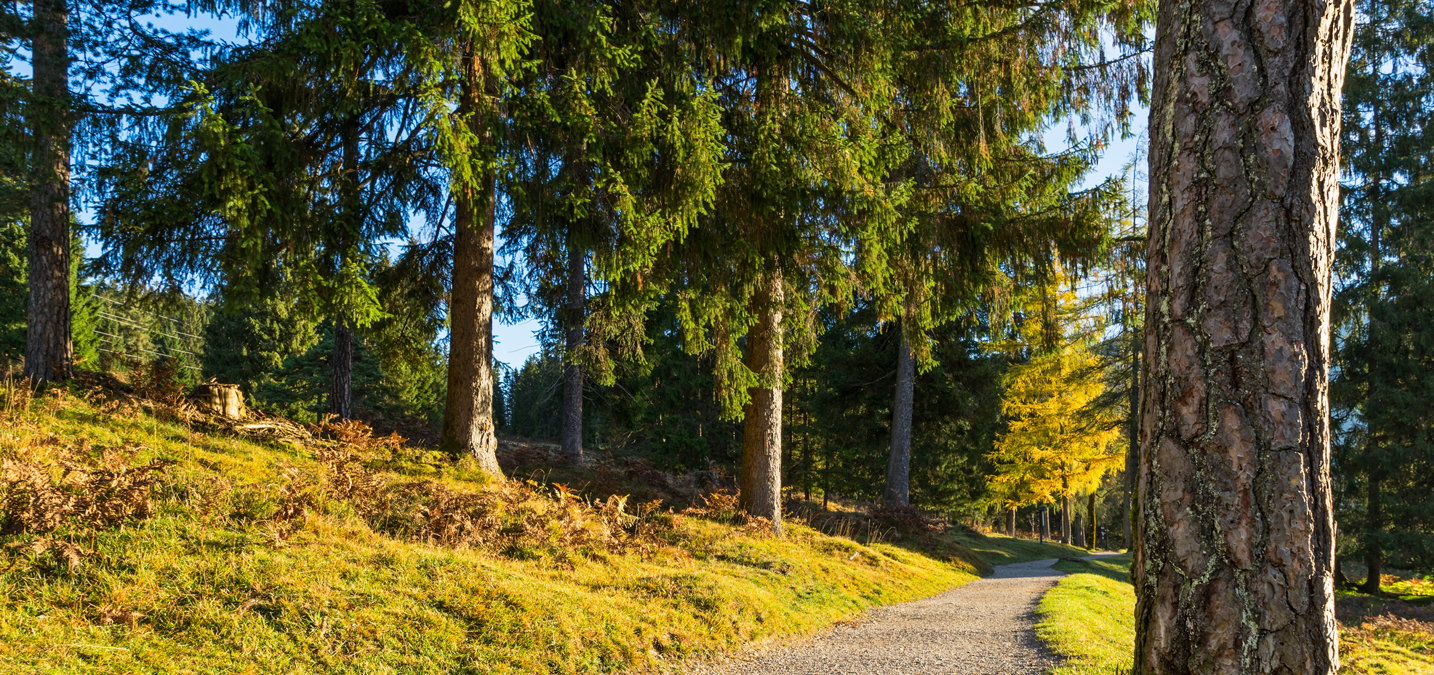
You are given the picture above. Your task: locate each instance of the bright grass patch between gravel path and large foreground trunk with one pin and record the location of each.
(1089, 617)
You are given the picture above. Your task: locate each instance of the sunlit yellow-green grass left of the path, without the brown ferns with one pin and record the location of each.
(204, 588)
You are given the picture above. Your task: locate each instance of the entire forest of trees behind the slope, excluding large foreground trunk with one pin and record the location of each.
(821, 247)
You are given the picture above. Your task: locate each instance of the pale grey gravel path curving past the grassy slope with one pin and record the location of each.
(983, 628)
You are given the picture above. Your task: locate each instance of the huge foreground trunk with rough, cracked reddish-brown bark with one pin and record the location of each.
(1235, 540)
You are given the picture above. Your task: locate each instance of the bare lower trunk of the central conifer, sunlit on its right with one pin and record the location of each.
(762, 418)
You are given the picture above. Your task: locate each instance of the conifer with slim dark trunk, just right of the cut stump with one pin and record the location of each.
(293, 166)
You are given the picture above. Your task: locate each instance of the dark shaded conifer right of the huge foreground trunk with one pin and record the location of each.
(1385, 266)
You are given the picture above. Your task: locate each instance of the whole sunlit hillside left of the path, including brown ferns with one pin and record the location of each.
(140, 537)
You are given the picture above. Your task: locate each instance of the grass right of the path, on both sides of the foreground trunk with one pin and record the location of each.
(1089, 618)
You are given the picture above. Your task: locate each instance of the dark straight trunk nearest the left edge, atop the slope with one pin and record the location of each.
(48, 349)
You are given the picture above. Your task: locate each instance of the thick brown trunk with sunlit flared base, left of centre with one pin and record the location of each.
(468, 418)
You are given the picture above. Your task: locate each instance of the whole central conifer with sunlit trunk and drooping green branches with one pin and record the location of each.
(797, 84)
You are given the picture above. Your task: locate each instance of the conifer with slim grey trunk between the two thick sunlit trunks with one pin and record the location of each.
(614, 153)
